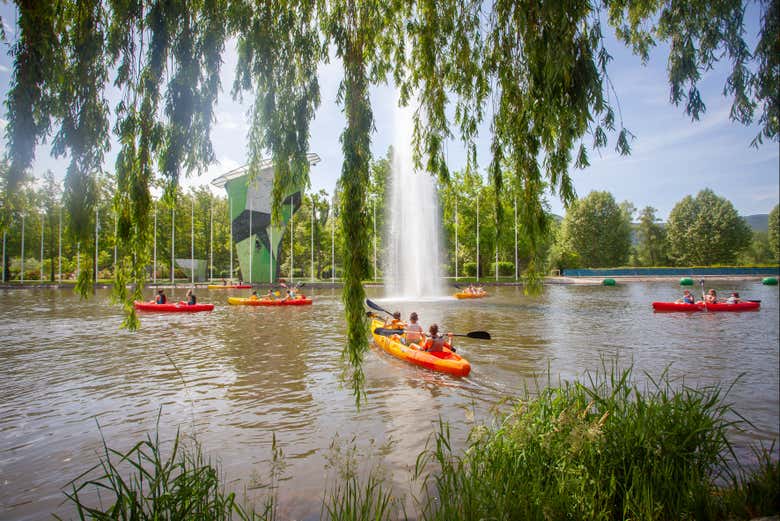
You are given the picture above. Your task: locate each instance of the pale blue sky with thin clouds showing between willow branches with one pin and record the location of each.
(671, 156)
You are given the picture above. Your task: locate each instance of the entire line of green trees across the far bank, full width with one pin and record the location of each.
(595, 232)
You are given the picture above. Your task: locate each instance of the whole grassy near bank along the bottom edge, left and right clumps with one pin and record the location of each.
(605, 449)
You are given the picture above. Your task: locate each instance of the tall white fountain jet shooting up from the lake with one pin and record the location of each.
(414, 253)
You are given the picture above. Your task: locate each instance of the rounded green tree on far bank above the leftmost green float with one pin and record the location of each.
(598, 231)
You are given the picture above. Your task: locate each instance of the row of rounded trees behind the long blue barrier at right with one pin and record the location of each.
(703, 230)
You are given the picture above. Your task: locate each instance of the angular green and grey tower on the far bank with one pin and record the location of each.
(258, 242)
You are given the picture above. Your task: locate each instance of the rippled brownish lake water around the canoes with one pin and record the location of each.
(238, 375)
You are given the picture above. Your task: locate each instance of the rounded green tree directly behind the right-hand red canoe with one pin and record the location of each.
(705, 230)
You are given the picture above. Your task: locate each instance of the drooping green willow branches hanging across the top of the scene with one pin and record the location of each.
(540, 67)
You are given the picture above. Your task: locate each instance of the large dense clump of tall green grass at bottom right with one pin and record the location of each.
(605, 451)
